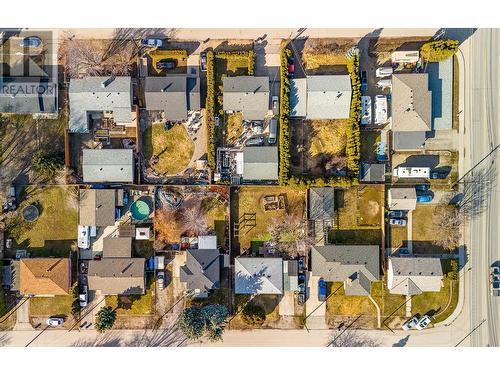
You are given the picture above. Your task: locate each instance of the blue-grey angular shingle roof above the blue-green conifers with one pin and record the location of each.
(202, 269)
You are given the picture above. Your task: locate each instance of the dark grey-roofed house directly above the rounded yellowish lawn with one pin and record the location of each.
(174, 95)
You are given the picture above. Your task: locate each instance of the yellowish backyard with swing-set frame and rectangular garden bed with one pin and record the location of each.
(249, 215)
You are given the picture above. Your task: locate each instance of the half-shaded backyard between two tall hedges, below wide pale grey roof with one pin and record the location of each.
(320, 147)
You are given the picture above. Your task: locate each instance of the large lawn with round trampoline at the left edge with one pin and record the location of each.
(55, 230)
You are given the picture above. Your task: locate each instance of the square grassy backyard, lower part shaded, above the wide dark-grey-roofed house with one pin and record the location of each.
(358, 215)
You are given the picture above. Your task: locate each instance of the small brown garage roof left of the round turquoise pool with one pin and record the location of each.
(97, 207)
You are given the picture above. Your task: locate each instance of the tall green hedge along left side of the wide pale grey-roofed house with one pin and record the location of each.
(284, 138)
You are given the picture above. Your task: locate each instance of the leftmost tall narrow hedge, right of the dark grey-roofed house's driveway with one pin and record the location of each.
(209, 111)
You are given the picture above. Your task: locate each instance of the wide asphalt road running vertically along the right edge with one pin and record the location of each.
(483, 66)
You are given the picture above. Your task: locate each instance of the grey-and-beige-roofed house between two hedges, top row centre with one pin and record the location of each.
(248, 95)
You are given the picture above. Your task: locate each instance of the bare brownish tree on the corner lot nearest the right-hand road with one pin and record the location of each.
(447, 221)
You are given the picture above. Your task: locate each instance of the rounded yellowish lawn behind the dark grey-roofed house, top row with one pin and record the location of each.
(173, 148)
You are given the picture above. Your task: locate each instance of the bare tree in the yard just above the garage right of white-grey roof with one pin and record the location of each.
(291, 234)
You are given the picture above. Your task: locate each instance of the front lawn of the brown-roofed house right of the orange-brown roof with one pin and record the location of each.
(141, 304)
